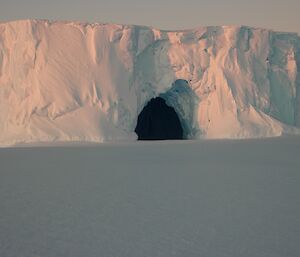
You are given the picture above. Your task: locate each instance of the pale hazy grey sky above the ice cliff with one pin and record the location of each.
(280, 15)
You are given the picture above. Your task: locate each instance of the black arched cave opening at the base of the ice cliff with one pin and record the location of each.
(158, 121)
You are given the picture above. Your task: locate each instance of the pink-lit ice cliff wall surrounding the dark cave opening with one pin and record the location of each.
(68, 81)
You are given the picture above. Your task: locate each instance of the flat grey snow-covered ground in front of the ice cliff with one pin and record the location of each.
(216, 198)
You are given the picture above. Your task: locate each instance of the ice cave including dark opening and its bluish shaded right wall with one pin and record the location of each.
(168, 116)
